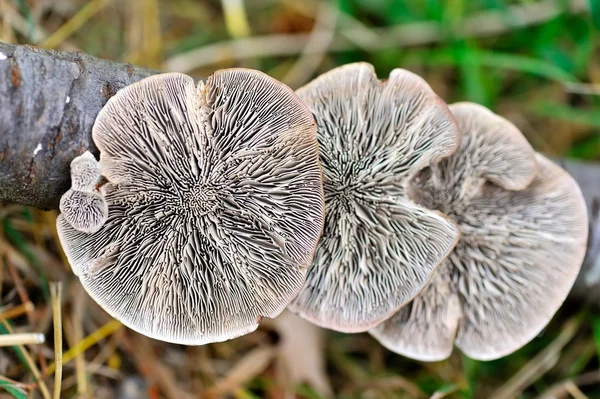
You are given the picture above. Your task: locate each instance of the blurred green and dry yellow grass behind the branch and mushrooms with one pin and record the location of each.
(540, 69)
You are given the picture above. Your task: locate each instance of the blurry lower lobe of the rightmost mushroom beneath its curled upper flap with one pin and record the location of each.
(519, 255)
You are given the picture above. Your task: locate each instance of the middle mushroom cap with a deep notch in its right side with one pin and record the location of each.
(378, 248)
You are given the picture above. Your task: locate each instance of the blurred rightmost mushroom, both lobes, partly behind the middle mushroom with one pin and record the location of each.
(523, 239)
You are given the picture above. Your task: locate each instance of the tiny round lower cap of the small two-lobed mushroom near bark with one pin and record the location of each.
(84, 211)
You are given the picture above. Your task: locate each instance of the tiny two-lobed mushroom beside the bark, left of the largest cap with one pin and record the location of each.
(82, 206)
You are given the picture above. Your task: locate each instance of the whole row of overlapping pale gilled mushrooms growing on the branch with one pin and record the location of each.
(359, 204)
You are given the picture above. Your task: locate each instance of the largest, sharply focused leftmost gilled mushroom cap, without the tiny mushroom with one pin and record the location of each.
(215, 205)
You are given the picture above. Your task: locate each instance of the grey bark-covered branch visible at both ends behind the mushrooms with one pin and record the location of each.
(49, 101)
